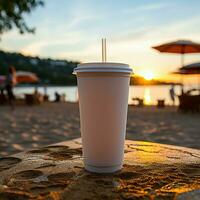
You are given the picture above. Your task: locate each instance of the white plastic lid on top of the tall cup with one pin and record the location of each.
(103, 67)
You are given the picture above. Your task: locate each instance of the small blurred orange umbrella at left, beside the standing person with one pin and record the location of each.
(26, 77)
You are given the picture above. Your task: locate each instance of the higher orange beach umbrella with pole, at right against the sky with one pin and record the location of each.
(179, 47)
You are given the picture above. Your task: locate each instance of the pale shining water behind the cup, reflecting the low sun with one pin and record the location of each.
(150, 94)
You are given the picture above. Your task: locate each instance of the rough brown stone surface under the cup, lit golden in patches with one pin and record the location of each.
(151, 171)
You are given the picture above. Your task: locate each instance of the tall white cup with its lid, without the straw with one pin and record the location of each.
(103, 101)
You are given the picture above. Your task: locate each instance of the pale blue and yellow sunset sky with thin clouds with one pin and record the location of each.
(73, 30)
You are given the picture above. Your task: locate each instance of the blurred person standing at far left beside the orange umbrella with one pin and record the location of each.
(10, 82)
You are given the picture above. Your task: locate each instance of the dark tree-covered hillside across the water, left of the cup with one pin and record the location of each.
(55, 72)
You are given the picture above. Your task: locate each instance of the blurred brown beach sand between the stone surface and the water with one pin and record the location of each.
(29, 127)
